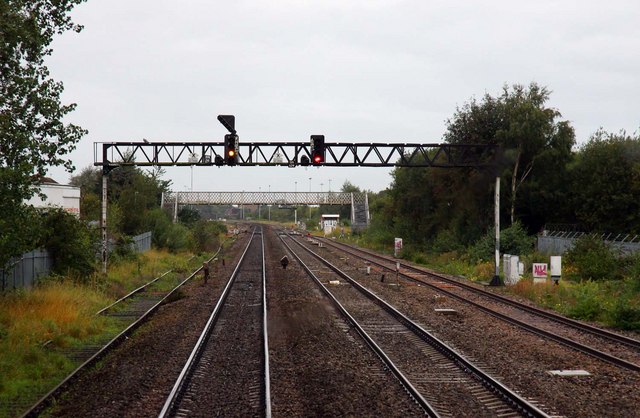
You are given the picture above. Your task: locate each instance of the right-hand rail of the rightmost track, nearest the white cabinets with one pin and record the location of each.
(549, 315)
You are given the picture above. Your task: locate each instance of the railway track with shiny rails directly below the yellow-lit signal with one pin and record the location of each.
(214, 381)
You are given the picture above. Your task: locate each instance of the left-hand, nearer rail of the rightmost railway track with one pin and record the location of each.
(540, 332)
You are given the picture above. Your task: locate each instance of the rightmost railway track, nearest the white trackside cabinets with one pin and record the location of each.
(604, 345)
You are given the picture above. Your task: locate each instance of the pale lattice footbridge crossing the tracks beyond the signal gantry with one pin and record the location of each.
(359, 202)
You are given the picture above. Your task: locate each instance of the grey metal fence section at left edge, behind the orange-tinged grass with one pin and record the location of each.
(23, 272)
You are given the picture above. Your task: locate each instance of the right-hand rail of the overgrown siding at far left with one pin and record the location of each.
(48, 398)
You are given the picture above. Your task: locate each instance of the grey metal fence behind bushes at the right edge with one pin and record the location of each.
(557, 242)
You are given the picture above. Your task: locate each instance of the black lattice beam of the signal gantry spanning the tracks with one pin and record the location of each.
(115, 154)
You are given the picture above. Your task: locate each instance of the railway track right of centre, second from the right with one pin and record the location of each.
(443, 382)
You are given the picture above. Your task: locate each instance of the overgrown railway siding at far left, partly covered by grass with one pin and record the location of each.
(131, 311)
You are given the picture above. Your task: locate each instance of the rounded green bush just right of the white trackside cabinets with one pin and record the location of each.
(593, 260)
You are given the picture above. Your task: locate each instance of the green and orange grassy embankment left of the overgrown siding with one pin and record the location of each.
(59, 313)
